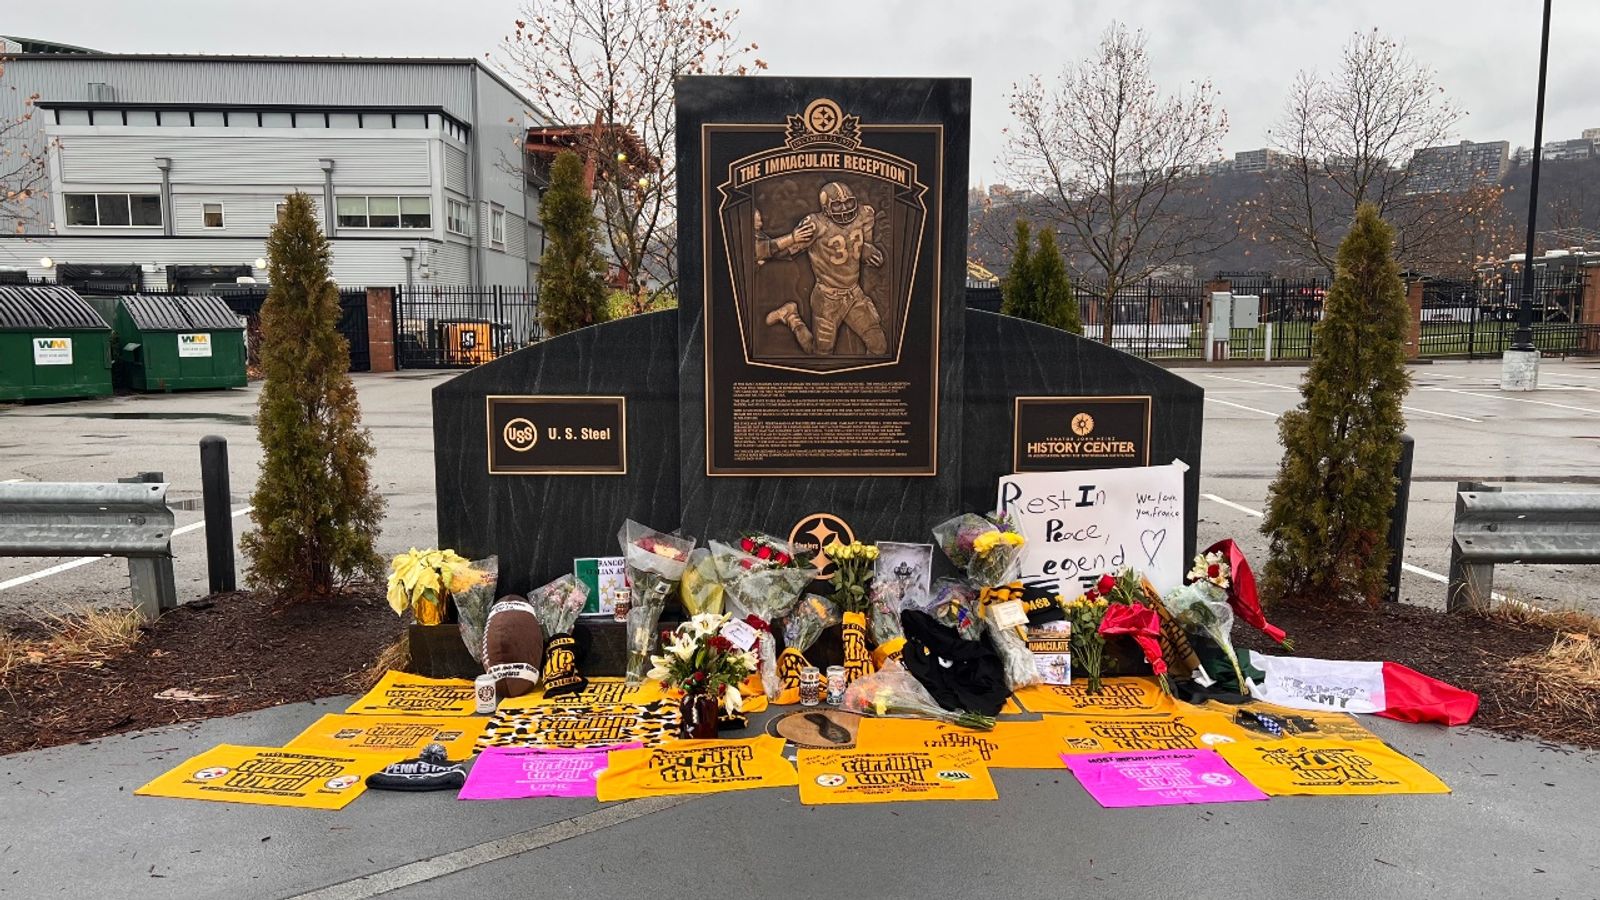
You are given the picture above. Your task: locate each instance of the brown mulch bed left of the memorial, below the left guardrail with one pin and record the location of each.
(242, 649)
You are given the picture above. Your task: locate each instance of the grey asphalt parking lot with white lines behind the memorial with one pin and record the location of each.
(1465, 430)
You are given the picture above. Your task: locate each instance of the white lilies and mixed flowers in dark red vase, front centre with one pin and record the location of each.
(706, 667)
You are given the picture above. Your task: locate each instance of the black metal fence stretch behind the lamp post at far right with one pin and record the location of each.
(1478, 318)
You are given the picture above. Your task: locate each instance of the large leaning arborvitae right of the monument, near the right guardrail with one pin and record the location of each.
(1329, 508)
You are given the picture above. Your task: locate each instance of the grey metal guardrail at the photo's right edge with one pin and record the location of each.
(1516, 528)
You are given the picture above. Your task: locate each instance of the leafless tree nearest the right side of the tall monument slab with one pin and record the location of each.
(1110, 158)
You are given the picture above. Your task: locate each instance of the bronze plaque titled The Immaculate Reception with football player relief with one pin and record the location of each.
(822, 262)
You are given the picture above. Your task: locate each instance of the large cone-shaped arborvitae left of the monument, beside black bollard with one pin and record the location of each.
(316, 508)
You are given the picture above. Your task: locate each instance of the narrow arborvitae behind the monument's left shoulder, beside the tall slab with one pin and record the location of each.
(572, 275)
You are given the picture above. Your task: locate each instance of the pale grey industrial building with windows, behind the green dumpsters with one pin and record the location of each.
(169, 171)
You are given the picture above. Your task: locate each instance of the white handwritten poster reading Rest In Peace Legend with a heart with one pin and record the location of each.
(1084, 524)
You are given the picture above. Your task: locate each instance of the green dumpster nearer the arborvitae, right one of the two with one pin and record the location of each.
(178, 344)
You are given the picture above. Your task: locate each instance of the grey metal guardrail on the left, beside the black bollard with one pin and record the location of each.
(87, 520)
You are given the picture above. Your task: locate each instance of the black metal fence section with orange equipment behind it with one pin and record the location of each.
(462, 326)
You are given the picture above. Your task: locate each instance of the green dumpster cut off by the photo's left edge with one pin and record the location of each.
(52, 345)
